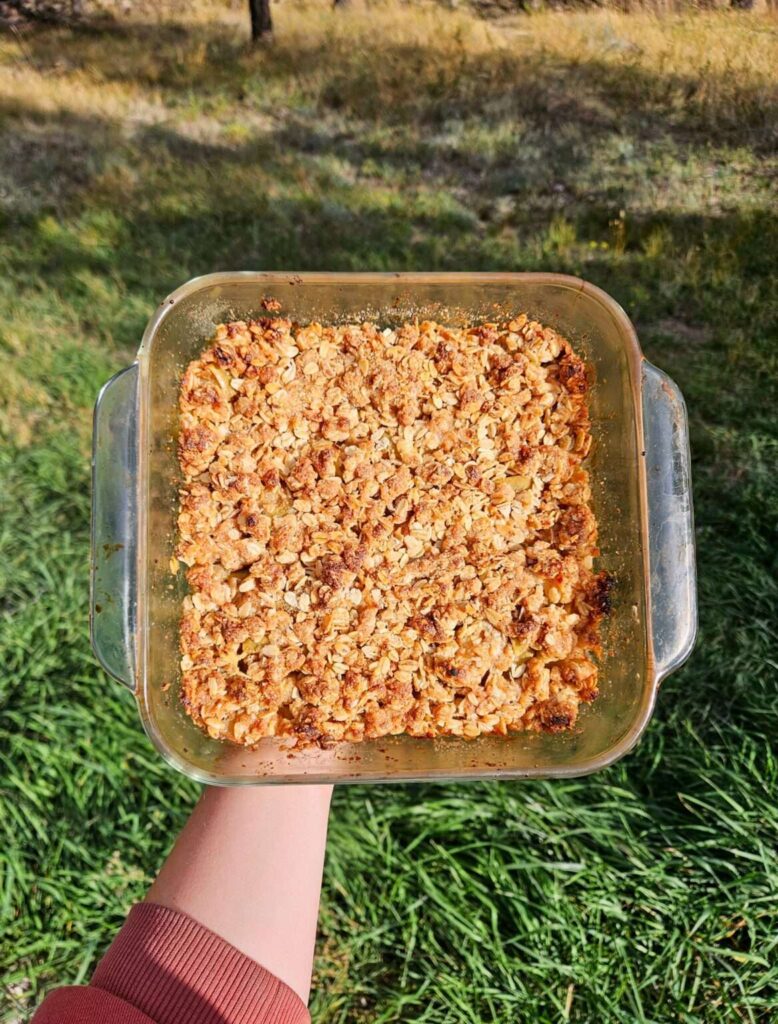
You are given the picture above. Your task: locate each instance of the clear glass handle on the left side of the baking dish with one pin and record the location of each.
(113, 611)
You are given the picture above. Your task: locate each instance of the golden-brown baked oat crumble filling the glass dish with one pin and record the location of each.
(386, 532)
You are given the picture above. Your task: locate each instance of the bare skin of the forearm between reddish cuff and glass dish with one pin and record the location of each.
(248, 866)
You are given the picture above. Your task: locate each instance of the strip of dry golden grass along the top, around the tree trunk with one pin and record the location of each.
(719, 61)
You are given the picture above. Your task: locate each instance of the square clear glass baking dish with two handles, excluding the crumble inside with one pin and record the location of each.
(642, 495)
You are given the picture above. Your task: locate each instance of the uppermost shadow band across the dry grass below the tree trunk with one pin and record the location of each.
(416, 82)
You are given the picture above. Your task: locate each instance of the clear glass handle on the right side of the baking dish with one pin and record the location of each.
(671, 523)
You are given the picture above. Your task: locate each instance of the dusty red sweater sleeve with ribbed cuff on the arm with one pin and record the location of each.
(164, 968)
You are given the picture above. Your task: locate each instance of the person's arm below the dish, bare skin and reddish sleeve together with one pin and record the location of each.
(229, 928)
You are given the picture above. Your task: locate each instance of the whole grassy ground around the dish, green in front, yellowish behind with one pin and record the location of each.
(633, 152)
